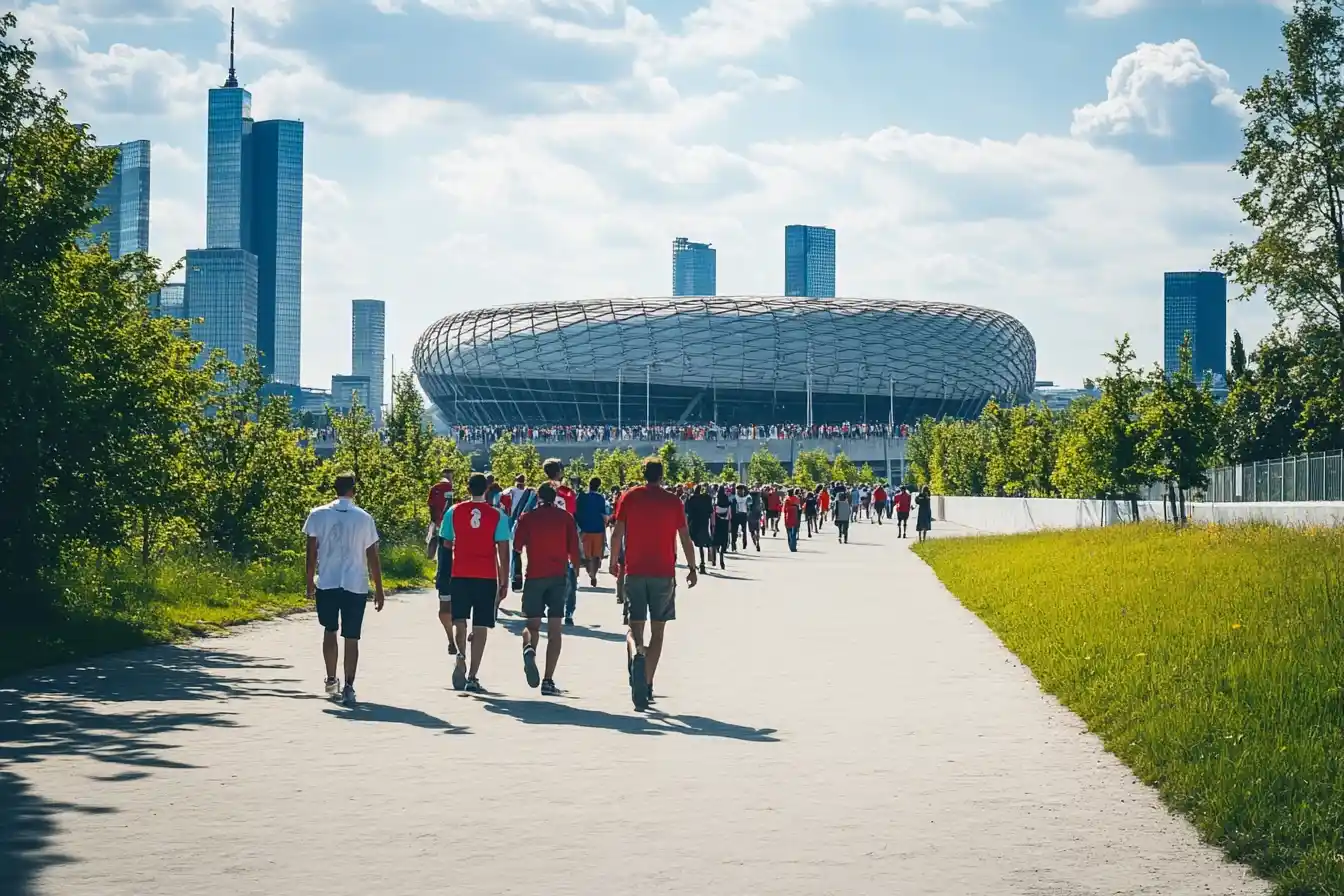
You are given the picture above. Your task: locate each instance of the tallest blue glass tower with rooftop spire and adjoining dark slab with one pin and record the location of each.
(255, 204)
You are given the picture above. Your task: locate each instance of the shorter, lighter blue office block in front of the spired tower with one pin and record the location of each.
(222, 294)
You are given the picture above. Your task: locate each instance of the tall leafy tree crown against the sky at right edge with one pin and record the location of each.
(1295, 161)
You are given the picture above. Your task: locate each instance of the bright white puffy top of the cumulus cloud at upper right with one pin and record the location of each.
(1138, 91)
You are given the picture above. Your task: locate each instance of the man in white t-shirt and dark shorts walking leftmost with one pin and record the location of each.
(342, 555)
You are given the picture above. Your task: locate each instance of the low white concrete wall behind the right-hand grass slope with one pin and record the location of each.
(1030, 515)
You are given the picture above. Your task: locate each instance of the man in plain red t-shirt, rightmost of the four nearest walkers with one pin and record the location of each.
(650, 522)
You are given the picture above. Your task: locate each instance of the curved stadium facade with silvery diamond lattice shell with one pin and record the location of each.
(729, 359)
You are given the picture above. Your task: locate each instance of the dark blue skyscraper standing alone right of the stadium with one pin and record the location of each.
(1195, 303)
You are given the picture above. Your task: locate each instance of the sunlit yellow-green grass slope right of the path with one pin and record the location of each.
(1209, 660)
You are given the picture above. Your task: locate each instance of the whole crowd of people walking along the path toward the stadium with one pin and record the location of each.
(538, 541)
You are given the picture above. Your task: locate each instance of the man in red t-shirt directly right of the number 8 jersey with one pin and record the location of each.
(552, 543)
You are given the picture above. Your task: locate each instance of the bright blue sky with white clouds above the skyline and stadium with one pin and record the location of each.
(1045, 158)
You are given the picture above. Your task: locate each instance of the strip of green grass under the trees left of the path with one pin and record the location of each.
(126, 605)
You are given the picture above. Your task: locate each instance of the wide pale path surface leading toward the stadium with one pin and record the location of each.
(834, 723)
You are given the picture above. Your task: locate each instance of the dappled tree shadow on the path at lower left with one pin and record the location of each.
(114, 710)
